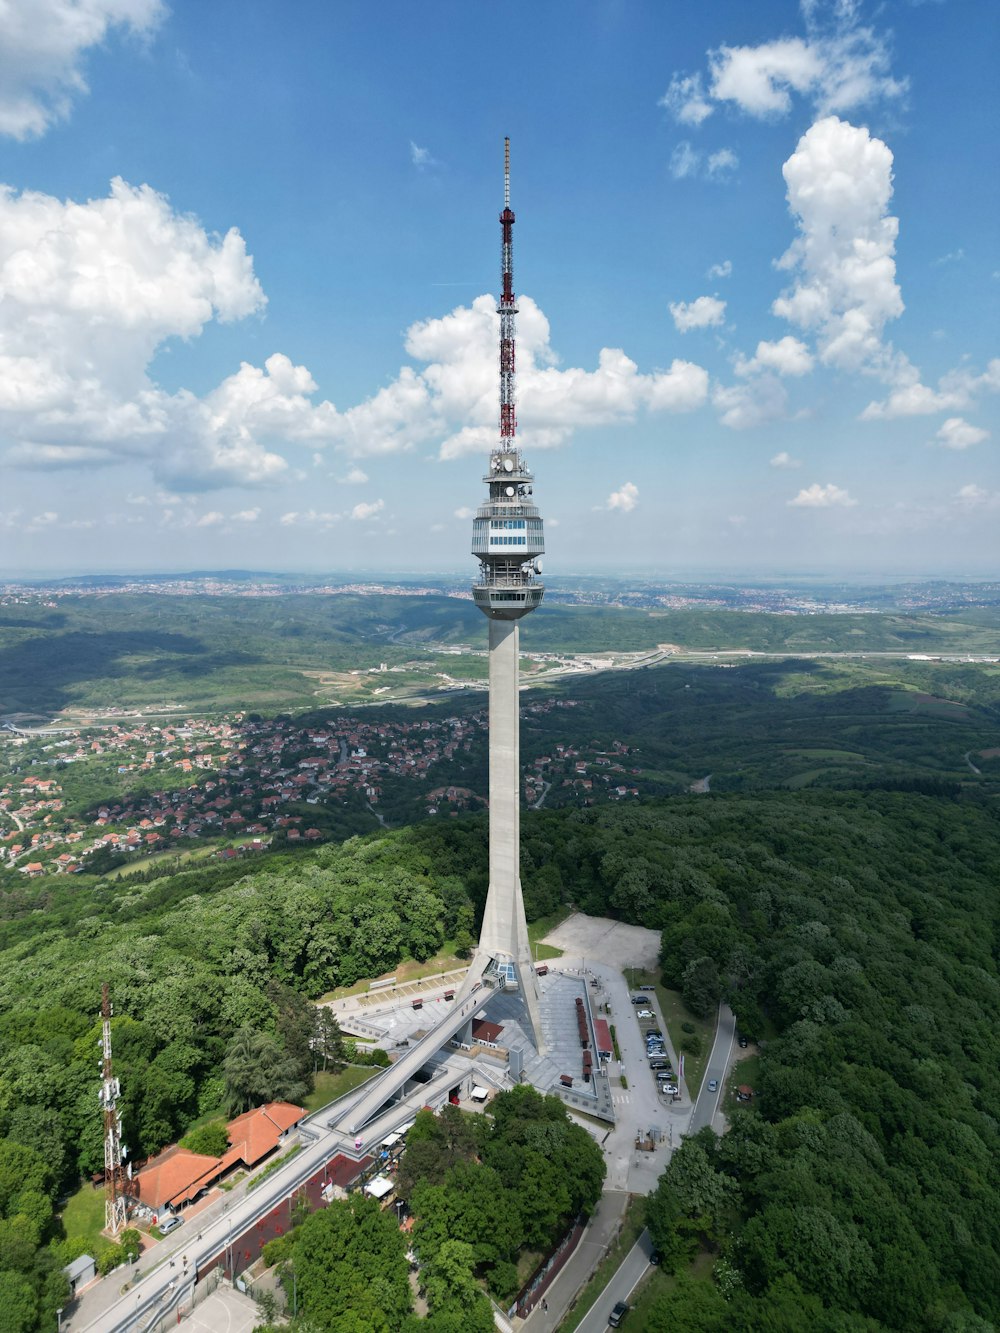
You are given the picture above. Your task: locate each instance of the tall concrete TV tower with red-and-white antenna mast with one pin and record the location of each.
(509, 542)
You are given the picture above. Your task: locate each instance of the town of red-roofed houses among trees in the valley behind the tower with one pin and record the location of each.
(245, 783)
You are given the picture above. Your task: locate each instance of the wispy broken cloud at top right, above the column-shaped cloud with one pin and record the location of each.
(838, 66)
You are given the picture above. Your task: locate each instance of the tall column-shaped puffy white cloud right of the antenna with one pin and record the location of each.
(839, 187)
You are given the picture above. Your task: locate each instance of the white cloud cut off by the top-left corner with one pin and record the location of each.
(42, 49)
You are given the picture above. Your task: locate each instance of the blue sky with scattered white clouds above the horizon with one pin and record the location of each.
(250, 259)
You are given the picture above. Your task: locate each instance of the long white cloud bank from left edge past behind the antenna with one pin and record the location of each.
(91, 293)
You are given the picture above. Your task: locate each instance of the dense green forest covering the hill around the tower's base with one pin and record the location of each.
(855, 932)
